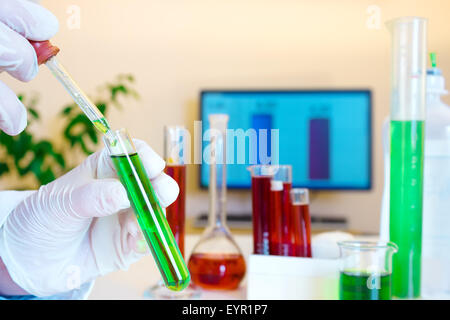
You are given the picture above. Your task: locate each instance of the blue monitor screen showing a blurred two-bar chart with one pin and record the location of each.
(324, 134)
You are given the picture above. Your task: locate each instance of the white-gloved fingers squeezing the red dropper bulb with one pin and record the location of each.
(20, 20)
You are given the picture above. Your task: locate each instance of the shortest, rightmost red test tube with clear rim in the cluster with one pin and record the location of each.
(301, 222)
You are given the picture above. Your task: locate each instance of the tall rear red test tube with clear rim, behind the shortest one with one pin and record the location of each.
(283, 173)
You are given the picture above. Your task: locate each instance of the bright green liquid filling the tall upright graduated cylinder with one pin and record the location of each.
(405, 226)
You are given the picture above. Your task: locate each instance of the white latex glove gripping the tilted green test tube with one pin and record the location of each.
(67, 233)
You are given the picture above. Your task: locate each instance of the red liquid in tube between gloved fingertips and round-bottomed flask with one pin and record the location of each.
(175, 213)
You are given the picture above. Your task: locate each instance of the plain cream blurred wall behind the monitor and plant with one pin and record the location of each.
(175, 48)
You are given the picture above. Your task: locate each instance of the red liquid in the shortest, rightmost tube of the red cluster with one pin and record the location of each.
(302, 230)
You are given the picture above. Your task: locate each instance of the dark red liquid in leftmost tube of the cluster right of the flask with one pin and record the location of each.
(261, 207)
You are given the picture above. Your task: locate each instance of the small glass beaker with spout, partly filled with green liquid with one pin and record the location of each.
(365, 270)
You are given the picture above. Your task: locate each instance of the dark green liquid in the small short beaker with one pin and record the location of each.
(364, 286)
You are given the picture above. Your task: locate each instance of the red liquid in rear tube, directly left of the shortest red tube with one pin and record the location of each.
(286, 222)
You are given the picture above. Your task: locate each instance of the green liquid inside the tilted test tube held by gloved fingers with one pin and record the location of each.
(162, 244)
